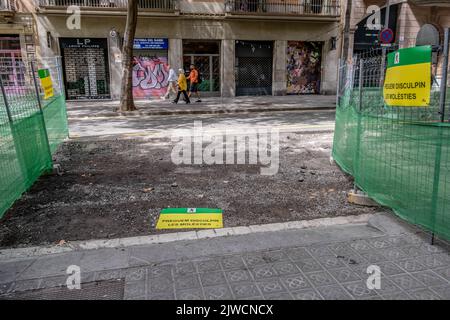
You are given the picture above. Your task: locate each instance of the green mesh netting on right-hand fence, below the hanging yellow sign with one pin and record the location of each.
(399, 156)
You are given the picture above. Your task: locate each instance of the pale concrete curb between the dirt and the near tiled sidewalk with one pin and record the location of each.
(21, 253)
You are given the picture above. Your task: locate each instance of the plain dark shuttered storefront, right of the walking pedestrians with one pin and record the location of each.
(253, 67)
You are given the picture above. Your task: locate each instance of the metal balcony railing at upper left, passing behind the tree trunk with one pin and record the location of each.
(151, 5)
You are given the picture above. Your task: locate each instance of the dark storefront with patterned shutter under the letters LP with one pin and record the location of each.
(86, 68)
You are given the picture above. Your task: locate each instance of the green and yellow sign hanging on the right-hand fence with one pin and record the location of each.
(408, 77)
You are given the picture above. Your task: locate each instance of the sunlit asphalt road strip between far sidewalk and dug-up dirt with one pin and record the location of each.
(163, 126)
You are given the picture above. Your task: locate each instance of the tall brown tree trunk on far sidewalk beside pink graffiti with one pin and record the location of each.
(126, 94)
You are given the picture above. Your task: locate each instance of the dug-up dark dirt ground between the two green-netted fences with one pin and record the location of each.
(116, 188)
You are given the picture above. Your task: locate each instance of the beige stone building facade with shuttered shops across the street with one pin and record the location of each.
(241, 47)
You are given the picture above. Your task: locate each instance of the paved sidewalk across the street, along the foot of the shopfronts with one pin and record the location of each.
(209, 105)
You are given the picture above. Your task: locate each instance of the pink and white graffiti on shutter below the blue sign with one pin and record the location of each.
(150, 77)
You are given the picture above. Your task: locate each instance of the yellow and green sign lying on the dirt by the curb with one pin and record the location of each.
(189, 218)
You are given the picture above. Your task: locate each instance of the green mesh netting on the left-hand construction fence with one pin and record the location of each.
(25, 146)
